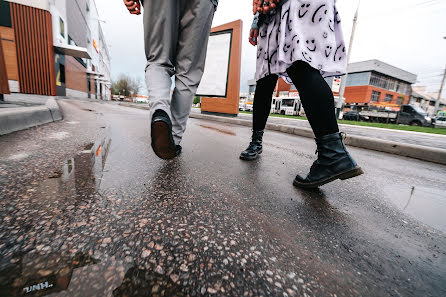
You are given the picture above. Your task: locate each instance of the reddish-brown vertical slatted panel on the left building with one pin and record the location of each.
(35, 52)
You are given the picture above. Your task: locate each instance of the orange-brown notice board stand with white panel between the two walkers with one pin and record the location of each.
(220, 86)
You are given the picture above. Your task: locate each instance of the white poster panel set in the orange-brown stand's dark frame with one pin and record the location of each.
(215, 77)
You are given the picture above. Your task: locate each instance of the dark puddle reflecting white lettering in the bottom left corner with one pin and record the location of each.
(57, 275)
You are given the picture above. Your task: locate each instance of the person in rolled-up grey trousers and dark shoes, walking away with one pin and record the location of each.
(176, 34)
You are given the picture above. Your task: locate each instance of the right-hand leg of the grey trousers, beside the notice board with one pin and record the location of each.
(195, 24)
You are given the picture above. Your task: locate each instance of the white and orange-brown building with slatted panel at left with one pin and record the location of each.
(55, 47)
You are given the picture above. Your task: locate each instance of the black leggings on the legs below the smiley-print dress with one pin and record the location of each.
(315, 94)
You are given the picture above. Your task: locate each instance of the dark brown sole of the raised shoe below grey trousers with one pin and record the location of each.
(161, 142)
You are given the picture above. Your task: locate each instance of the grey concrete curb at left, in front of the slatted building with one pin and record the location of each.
(21, 118)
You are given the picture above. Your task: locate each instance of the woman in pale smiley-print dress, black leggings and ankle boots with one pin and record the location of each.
(302, 41)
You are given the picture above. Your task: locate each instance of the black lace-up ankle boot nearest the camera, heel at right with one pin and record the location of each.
(333, 162)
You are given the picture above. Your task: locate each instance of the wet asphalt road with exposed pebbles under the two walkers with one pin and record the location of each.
(87, 209)
